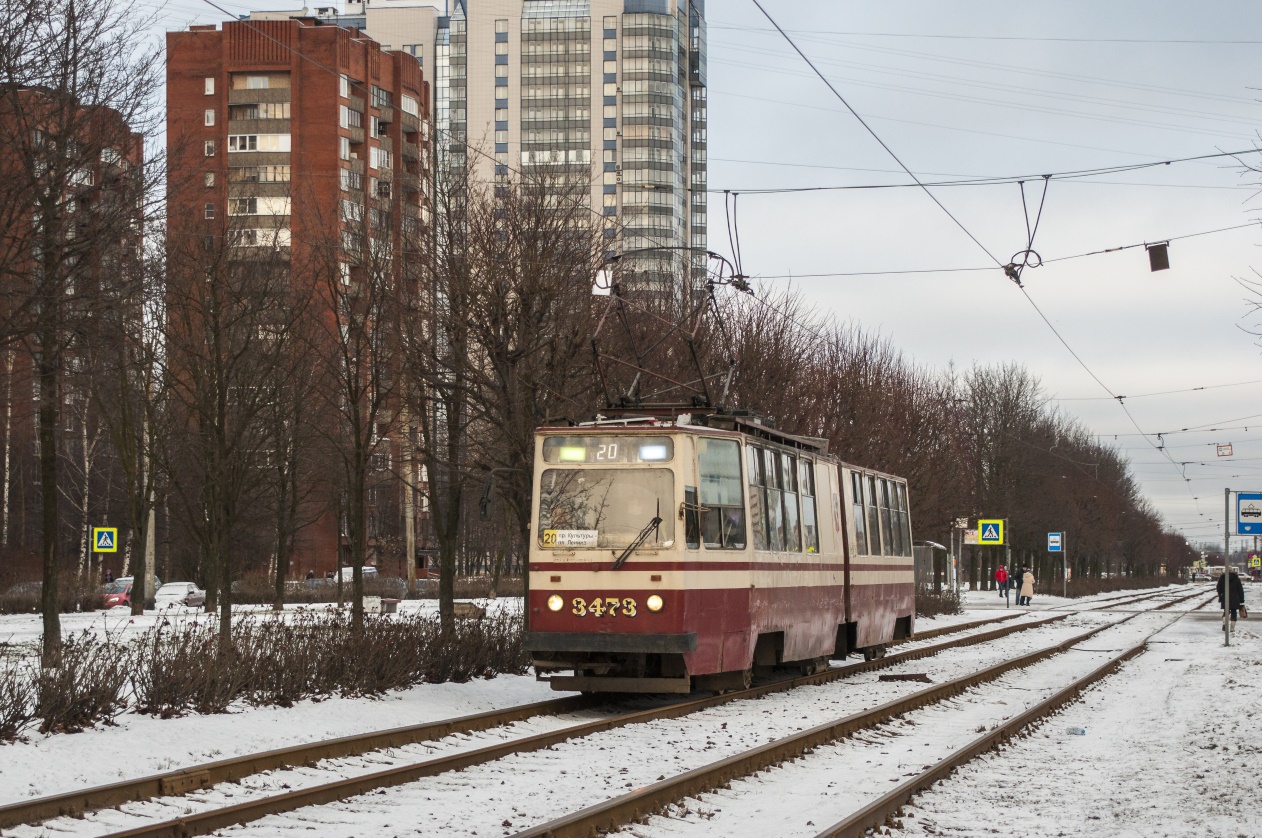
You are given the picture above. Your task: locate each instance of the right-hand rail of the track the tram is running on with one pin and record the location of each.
(210, 821)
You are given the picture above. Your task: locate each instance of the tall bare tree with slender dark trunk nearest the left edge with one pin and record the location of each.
(76, 89)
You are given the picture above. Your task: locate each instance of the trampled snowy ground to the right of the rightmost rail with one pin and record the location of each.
(1171, 750)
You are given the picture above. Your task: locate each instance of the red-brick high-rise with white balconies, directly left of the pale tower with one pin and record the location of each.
(301, 133)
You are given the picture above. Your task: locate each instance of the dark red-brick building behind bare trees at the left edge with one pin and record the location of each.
(71, 214)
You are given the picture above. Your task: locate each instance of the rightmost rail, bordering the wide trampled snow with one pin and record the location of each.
(885, 808)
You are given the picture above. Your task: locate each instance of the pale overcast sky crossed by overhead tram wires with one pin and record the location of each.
(988, 89)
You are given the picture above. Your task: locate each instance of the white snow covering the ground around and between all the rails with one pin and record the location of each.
(1159, 712)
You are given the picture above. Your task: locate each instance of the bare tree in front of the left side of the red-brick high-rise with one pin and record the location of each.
(229, 341)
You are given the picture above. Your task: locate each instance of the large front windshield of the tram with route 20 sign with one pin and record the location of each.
(605, 508)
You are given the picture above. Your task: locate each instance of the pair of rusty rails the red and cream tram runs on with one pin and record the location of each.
(198, 778)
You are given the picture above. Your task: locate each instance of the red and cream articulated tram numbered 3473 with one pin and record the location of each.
(687, 553)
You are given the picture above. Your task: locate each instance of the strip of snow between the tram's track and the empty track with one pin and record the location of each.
(521, 791)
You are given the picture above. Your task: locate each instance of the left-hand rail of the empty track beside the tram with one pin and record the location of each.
(618, 812)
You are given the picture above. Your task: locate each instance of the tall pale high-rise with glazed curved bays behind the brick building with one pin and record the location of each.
(613, 88)
